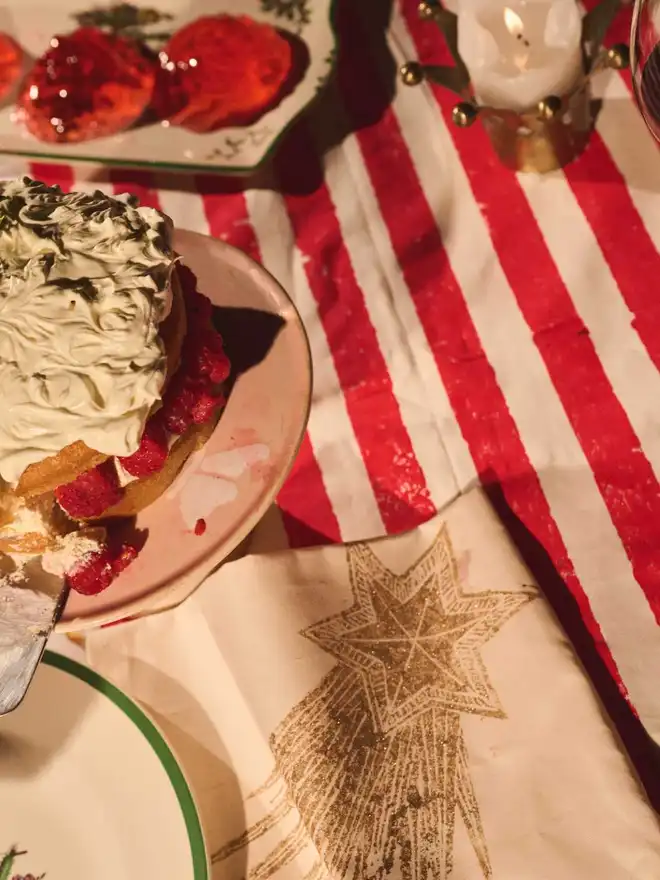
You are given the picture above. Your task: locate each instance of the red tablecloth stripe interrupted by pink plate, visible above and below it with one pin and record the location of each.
(307, 513)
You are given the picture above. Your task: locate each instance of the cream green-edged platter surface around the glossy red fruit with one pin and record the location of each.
(32, 23)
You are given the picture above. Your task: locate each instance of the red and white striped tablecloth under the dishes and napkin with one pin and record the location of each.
(467, 324)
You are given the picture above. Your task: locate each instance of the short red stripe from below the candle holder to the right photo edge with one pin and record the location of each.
(603, 196)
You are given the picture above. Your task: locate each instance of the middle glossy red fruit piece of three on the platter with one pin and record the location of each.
(88, 84)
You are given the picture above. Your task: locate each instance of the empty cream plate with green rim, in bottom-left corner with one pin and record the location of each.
(90, 788)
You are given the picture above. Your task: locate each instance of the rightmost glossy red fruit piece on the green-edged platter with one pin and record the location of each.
(223, 70)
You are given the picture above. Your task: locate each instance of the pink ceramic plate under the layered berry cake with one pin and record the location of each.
(229, 483)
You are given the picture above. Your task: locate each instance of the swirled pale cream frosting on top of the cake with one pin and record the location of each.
(84, 284)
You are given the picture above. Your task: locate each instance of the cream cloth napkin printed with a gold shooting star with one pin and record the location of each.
(407, 709)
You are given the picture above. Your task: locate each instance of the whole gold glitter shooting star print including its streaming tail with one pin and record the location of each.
(372, 769)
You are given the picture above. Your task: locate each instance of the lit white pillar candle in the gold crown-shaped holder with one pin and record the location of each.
(520, 51)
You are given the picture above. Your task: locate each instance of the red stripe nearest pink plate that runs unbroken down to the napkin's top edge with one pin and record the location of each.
(398, 481)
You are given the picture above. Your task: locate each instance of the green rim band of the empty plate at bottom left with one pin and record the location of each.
(157, 742)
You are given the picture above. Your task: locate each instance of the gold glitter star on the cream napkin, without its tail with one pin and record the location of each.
(415, 637)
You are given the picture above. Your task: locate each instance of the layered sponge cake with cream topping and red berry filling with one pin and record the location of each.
(111, 374)
